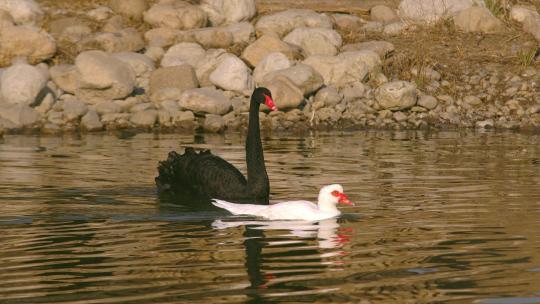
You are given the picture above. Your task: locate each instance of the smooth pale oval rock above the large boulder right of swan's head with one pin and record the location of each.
(315, 41)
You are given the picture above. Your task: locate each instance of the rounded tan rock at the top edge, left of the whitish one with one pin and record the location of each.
(176, 15)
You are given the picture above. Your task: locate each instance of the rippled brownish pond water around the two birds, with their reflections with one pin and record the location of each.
(438, 217)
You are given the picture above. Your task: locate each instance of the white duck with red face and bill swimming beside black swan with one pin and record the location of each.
(329, 197)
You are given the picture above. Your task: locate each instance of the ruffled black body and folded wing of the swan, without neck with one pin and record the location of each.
(200, 175)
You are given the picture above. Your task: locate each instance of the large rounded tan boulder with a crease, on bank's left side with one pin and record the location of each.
(102, 76)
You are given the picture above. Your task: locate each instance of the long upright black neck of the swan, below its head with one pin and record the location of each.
(257, 179)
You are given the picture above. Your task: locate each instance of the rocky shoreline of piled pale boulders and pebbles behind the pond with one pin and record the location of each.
(182, 66)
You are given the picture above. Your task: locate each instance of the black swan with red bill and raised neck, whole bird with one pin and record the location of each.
(203, 176)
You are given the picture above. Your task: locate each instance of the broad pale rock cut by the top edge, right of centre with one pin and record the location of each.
(423, 11)
